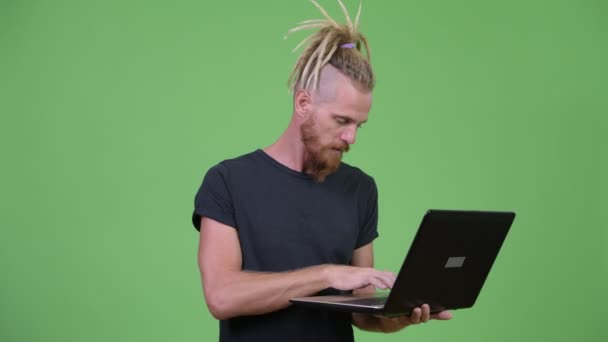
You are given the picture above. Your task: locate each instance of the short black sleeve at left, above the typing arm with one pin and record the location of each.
(213, 199)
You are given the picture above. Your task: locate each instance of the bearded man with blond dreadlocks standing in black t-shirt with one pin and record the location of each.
(292, 220)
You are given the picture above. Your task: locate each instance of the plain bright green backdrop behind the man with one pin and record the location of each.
(112, 111)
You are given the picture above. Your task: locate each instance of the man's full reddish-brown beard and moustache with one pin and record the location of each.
(320, 160)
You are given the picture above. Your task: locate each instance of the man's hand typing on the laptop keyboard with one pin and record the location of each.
(351, 278)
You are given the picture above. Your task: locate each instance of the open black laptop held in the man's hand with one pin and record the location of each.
(446, 266)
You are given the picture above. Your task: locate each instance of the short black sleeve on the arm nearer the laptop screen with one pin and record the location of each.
(368, 214)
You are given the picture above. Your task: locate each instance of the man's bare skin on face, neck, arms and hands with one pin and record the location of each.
(333, 114)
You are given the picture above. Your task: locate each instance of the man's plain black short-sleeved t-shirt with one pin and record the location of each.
(285, 221)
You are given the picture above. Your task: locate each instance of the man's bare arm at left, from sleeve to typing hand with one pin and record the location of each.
(229, 291)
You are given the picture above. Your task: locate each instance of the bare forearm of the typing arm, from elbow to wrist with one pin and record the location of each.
(239, 293)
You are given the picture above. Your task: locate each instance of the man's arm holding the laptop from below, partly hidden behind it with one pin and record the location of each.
(364, 257)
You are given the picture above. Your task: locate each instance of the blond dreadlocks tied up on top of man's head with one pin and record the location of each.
(325, 47)
